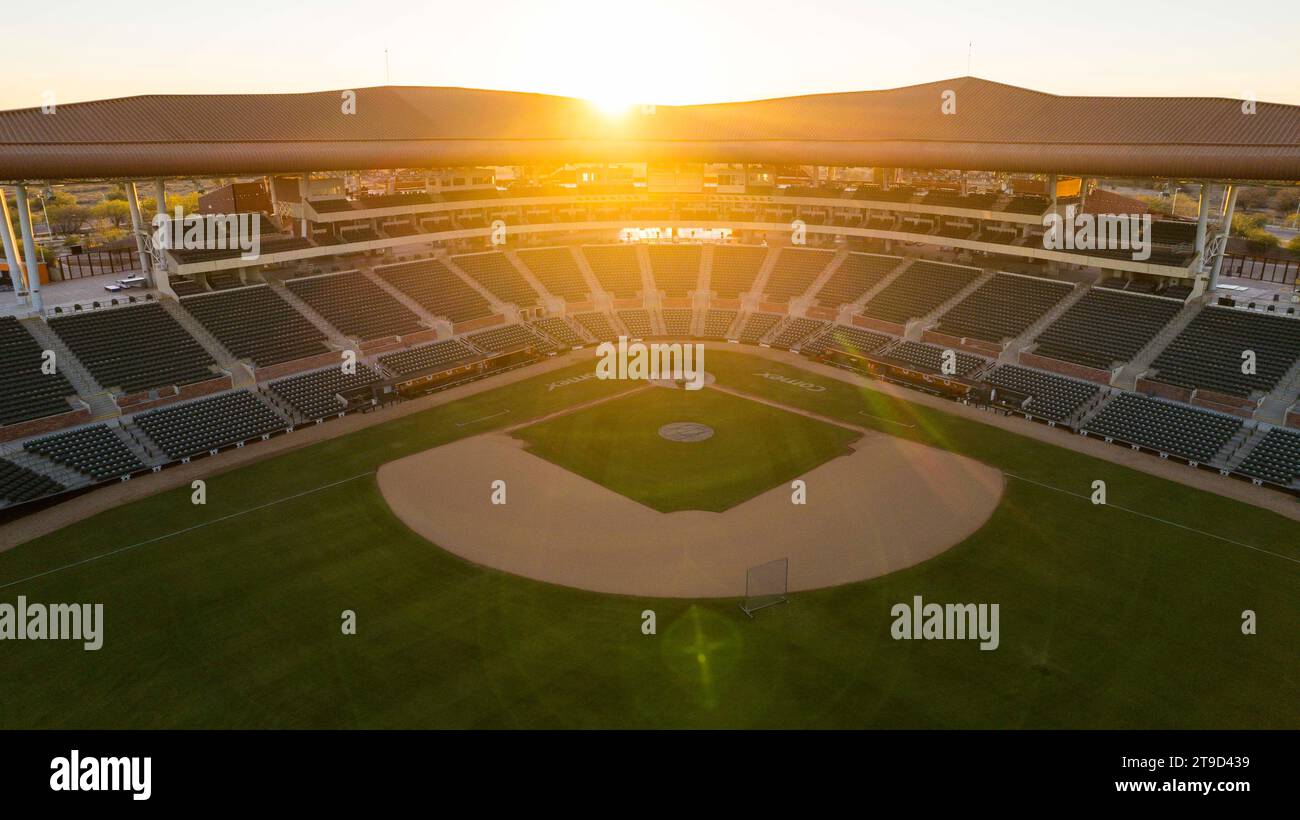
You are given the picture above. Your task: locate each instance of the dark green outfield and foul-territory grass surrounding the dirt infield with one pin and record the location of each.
(1108, 618)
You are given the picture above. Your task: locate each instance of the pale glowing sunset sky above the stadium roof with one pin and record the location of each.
(665, 53)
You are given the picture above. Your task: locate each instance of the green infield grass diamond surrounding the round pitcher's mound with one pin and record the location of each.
(755, 448)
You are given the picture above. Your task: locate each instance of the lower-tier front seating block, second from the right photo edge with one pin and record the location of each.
(1165, 427)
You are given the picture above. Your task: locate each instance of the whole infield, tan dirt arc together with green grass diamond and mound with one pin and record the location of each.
(678, 494)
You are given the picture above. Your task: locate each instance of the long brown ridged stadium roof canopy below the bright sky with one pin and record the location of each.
(995, 128)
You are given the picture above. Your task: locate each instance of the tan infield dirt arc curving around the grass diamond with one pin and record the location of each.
(890, 505)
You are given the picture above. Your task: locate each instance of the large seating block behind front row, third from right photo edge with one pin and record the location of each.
(1003, 309)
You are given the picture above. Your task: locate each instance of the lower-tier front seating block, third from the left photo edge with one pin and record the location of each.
(198, 427)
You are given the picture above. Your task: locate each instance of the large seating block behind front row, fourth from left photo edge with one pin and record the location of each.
(357, 306)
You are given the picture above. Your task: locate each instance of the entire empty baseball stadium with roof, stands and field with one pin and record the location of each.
(366, 471)
